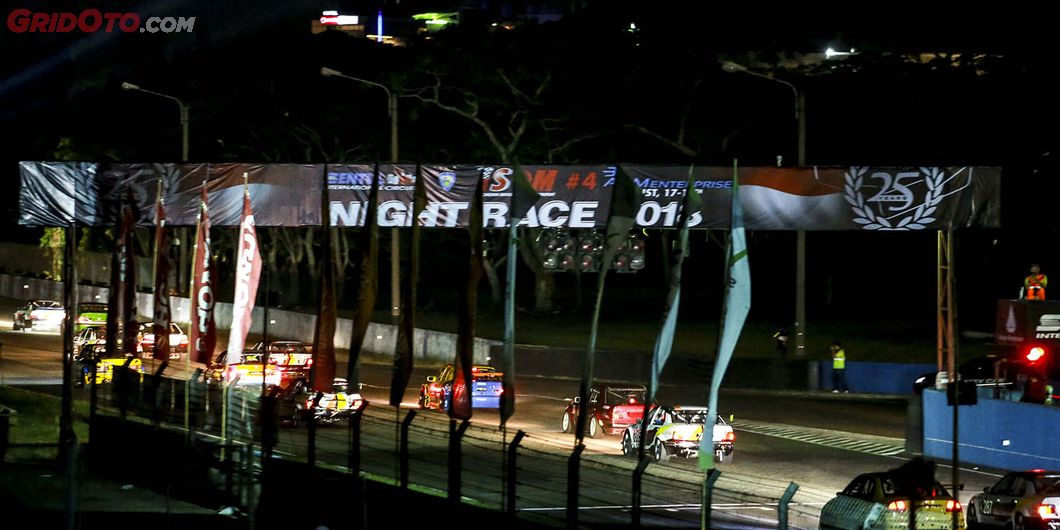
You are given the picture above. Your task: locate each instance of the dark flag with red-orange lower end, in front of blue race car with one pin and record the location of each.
(461, 405)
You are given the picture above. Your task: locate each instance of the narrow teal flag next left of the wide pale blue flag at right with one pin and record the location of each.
(664, 343)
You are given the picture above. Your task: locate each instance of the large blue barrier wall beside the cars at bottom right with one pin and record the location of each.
(996, 433)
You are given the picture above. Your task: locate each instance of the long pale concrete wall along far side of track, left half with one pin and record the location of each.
(428, 345)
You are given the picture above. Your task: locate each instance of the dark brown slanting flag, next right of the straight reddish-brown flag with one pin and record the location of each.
(367, 284)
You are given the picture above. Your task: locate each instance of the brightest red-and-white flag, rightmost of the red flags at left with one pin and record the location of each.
(249, 269)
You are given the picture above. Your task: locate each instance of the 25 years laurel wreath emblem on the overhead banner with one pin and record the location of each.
(903, 201)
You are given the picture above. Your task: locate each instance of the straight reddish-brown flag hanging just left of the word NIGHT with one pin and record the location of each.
(324, 334)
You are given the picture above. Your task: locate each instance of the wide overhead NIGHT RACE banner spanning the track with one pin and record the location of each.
(572, 197)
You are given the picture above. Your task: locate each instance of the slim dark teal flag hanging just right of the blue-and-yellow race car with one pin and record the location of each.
(524, 198)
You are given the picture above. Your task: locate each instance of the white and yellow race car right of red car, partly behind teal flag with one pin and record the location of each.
(676, 431)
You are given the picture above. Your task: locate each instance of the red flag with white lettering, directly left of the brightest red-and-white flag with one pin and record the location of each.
(204, 333)
